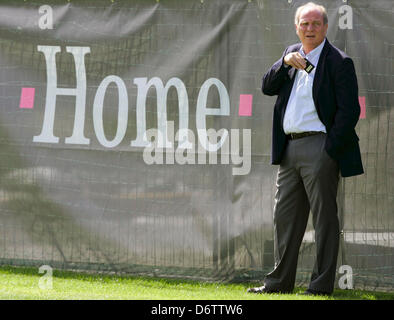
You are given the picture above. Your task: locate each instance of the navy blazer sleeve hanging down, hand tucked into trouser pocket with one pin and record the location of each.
(348, 109)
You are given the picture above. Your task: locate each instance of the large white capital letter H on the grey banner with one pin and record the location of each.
(53, 91)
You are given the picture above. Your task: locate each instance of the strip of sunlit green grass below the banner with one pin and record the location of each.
(18, 283)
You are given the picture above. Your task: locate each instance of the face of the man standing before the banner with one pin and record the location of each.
(310, 28)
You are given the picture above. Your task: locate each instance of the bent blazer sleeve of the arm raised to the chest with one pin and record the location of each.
(276, 76)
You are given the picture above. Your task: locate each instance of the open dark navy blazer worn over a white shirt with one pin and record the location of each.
(335, 94)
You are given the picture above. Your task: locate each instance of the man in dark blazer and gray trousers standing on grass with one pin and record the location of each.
(314, 142)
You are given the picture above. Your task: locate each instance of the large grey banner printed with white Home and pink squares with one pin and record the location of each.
(134, 137)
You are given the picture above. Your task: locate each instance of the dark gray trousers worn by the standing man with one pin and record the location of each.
(307, 181)
